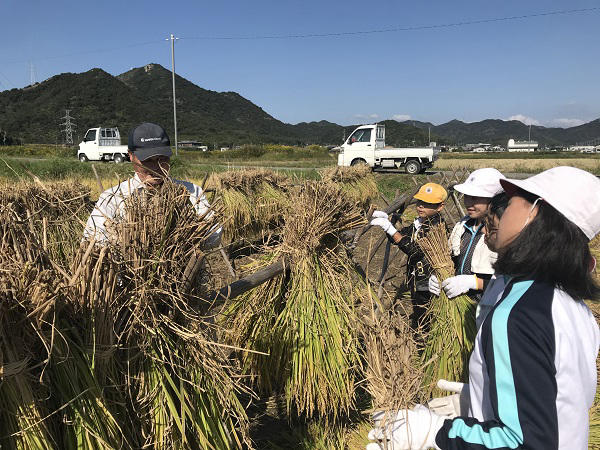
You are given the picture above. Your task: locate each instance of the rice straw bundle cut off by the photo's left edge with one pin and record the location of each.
(27, 300)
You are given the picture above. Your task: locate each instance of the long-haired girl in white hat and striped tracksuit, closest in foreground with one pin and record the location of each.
(532, 373)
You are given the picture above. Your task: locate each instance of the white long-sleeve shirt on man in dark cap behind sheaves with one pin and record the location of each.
(111, 204)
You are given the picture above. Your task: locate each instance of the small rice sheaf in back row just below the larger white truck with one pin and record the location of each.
(357, 182)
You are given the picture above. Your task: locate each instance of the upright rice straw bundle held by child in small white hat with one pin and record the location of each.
(452, 321)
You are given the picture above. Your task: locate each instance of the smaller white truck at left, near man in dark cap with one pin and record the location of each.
(102, 144)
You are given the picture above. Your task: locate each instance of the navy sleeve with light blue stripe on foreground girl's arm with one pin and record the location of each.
(519, 348)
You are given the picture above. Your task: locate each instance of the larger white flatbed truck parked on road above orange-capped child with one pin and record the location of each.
(366, 145)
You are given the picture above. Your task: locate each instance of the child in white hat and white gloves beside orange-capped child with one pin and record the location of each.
(472, 258)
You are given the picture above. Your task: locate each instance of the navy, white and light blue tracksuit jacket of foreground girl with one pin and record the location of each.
(532, 373)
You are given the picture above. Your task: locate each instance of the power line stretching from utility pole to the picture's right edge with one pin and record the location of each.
(398, 29)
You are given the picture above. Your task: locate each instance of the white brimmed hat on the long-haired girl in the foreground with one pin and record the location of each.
(573, 192)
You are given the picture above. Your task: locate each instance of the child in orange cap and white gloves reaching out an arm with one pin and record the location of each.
(430, 202)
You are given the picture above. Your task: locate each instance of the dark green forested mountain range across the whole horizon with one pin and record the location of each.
(96, 98)
